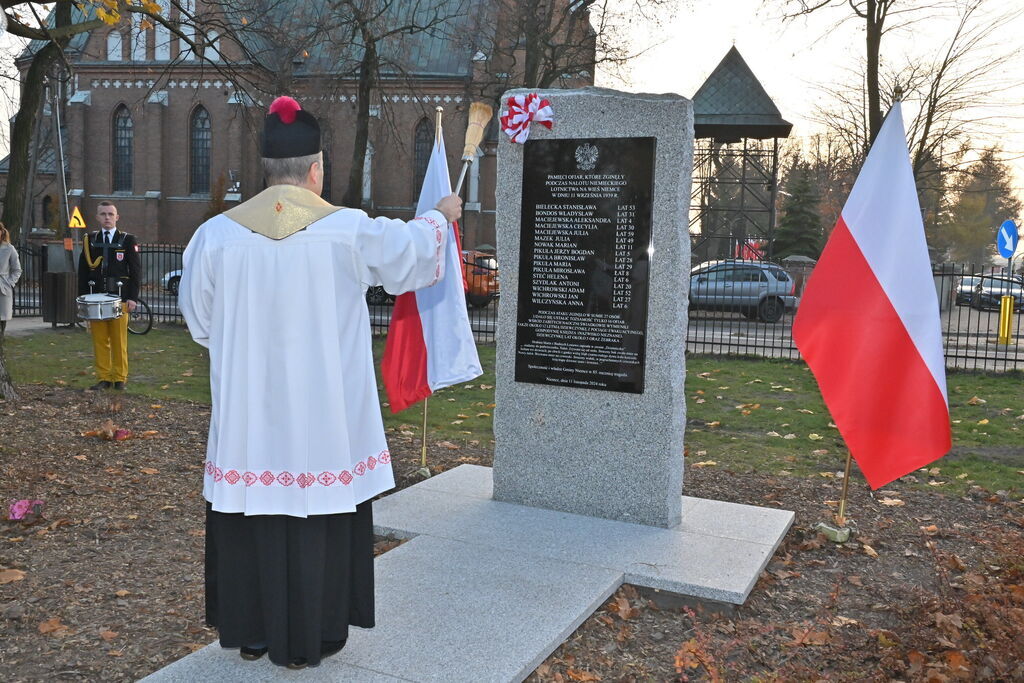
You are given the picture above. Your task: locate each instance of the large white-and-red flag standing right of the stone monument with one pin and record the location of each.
(869, 322)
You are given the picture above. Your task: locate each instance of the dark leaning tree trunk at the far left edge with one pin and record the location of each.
(22, 137)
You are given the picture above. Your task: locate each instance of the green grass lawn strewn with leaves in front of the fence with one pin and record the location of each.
(744, 414)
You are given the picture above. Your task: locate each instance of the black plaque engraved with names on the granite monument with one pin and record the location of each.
(585, 252)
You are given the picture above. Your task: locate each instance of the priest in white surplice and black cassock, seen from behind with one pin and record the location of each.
(275, 288)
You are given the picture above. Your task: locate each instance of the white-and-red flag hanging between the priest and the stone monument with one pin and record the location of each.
(430, 344)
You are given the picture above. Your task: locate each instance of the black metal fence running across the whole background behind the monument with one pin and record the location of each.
(968, 308)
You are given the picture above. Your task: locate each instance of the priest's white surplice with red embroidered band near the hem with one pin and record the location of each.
(296, 426)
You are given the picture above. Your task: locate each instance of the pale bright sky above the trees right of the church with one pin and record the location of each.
(794, 60)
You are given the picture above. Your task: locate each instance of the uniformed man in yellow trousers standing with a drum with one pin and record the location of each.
(110, 264)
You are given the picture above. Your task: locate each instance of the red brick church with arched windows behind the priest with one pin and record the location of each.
(172, 137)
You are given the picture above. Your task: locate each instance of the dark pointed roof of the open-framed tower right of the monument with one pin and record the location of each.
(733, 105)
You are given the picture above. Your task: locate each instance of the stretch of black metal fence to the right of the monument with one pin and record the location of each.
(969, 315)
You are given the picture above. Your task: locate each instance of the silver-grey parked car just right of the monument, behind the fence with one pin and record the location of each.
(758, 290)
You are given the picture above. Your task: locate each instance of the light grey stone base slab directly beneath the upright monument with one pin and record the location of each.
(717, 552)
